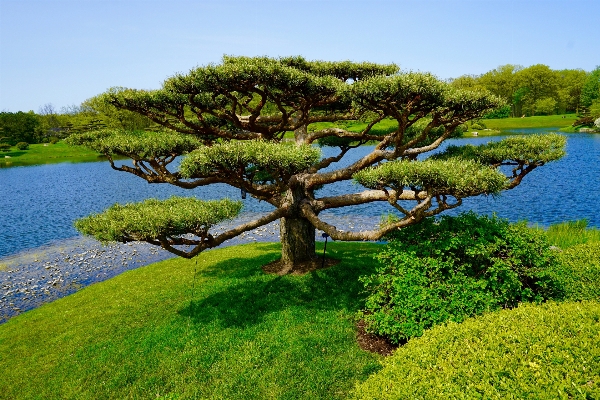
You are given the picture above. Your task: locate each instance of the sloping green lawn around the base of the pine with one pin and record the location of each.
(233, 332)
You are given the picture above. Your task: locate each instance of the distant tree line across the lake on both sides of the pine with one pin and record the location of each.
(535, 90)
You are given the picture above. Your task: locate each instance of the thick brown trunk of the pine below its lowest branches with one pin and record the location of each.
(297, 241)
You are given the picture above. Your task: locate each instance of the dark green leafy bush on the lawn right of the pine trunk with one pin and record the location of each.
(454, 268)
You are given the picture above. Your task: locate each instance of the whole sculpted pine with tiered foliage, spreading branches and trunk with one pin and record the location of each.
(228, 121)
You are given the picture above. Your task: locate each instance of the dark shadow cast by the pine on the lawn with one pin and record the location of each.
(248, 302)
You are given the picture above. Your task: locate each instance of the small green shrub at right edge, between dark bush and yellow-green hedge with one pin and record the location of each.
(579, 271)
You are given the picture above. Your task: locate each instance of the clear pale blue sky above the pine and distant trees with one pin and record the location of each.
(63, 52)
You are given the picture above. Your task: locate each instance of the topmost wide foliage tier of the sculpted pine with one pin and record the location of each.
(269, 96)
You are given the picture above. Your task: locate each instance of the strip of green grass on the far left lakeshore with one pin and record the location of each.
(48, 154)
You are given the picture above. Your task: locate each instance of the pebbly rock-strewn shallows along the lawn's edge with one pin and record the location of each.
(38, 276)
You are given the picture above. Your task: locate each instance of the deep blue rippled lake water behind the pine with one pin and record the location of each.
(38, 204)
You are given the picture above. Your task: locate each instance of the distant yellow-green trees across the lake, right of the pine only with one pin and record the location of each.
(538, 90)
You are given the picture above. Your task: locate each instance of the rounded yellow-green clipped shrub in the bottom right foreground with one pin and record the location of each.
(547, 351)
